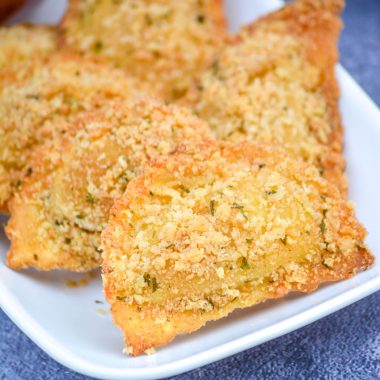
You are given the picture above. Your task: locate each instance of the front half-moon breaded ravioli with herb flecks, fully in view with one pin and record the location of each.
(221, 227)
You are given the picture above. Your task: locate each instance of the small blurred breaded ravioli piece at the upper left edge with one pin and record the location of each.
(19, 43)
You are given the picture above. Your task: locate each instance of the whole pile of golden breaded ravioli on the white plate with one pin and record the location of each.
(203, 172)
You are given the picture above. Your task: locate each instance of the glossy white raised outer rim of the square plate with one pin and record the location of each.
(58, 352)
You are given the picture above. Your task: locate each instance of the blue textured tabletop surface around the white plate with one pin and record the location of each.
(345, 345)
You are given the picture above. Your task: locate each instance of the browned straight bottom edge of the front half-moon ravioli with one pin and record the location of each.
(143, 336)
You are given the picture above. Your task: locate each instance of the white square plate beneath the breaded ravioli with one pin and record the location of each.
(67, 324)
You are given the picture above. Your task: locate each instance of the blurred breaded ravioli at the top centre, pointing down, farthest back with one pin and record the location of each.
(166, 43)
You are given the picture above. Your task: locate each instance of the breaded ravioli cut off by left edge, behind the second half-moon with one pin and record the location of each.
(39, 97)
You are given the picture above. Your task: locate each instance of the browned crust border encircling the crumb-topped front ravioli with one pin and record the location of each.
(138, 322)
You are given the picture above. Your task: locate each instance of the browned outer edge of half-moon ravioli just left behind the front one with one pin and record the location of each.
(22, 251)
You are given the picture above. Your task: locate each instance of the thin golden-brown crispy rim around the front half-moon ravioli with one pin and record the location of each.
(142, 336)
